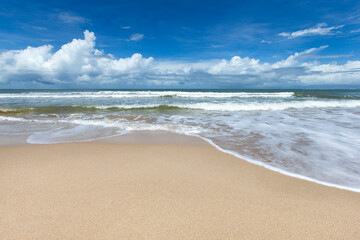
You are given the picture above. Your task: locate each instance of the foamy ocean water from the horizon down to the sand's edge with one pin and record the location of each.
(310, 134)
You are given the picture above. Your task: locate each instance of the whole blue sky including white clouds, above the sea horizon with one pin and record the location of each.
(179, 44)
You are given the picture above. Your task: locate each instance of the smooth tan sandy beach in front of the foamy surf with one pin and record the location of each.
(103, 190)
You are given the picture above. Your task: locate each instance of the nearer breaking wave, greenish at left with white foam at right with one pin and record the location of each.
(225, 107)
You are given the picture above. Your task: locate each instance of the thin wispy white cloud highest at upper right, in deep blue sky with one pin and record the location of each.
(319, 29)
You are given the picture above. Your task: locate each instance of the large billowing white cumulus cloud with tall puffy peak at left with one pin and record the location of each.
(77, 60)
